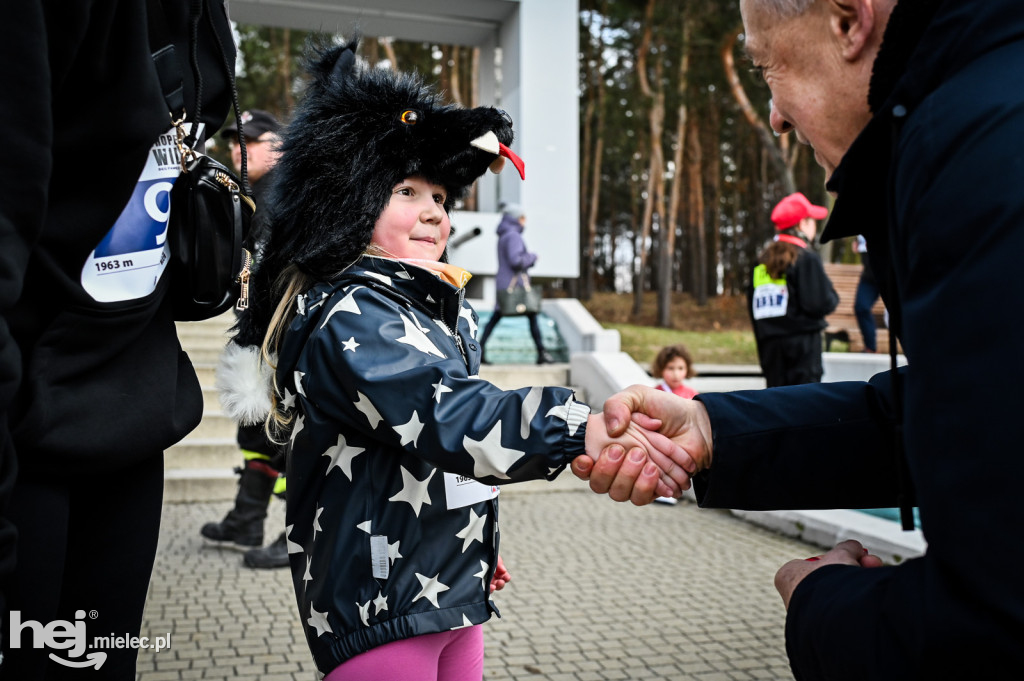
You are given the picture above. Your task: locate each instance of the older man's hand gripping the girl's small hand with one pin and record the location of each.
(630, 477)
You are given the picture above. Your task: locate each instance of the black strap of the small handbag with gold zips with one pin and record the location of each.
(172, 82)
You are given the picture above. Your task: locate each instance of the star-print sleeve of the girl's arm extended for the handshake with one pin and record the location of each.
(410, 371)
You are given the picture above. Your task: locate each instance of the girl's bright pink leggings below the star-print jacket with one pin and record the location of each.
(454, 656)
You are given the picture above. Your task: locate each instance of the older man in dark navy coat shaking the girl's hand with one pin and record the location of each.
(916, 109)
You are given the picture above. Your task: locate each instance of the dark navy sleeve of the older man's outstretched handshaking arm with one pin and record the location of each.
(806, 447)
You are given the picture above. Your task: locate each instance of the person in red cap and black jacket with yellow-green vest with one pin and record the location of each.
(791, 295)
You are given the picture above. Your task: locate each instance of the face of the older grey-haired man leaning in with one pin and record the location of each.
(818, 92)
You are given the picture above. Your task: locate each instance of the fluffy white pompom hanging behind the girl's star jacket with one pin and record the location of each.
(244, 385)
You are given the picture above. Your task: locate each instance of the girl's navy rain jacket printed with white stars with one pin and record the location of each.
(397, 447)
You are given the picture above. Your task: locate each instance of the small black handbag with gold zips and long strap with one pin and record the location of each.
(210, 208)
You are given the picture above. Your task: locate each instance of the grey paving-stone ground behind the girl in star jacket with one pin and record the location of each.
(601, 592)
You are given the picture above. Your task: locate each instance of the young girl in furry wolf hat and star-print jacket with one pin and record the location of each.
(392, 535)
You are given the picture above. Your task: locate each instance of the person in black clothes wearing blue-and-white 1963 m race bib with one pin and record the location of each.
(94, 382)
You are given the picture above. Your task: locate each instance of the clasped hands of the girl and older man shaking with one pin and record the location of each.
(647, 444)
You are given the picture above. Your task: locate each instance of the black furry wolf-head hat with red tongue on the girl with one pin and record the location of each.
(358, 133)
